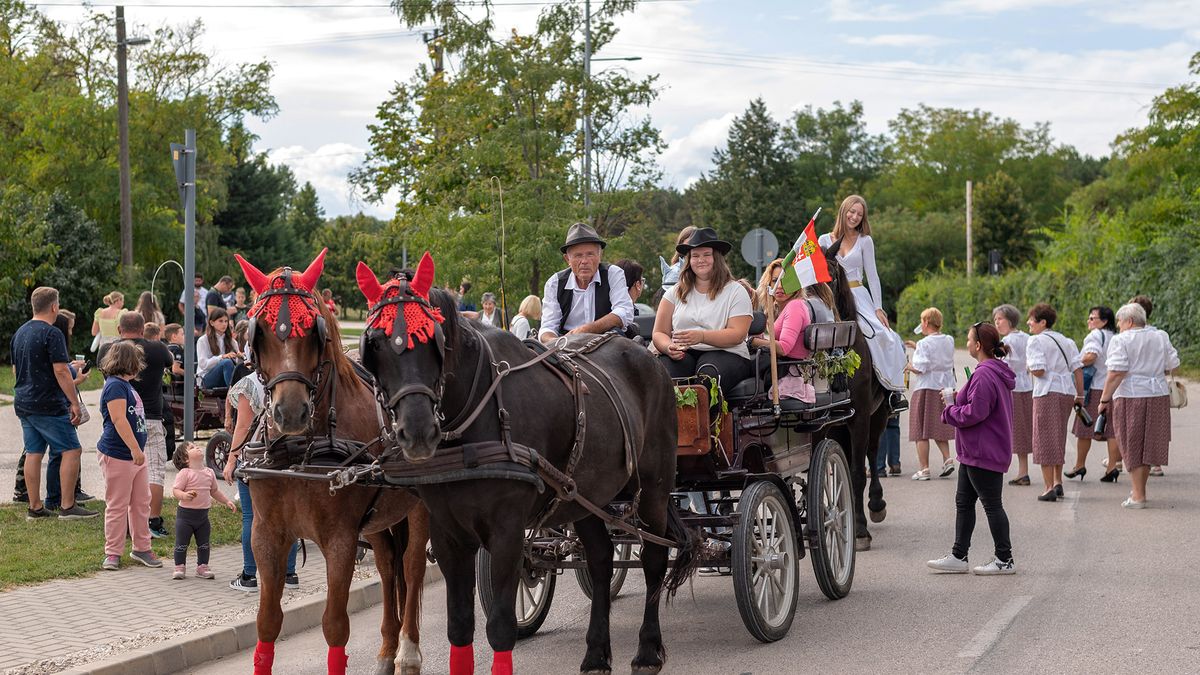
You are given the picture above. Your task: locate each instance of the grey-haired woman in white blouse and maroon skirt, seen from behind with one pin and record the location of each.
(1136, 397)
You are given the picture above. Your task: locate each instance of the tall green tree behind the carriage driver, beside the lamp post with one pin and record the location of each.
(506, 124)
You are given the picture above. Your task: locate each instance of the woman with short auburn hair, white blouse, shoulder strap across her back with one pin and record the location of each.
(1058, 373)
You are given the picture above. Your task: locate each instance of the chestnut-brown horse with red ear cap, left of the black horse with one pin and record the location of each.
(308, 375)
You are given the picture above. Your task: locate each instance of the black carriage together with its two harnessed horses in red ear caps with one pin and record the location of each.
(495, 440)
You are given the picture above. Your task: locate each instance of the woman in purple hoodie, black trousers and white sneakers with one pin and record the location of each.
(982, 416)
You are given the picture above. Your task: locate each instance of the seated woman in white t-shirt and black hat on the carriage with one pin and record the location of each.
(703, 322)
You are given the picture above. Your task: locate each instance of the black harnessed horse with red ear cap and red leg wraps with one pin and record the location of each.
(448, 373)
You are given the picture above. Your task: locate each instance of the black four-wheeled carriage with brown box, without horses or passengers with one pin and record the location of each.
(761, 482)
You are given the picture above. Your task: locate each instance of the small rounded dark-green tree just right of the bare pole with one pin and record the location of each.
(1004, 223)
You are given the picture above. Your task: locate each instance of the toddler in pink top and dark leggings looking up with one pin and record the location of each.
(196, 487)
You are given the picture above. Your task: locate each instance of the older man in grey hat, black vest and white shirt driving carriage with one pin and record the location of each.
(589, 296)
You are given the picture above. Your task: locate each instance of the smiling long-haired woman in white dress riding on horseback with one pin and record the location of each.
(857, 258)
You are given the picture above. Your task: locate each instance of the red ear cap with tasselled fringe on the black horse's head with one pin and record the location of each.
(419, 319)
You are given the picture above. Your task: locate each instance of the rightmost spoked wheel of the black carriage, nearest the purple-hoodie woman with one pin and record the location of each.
(830, 519)
